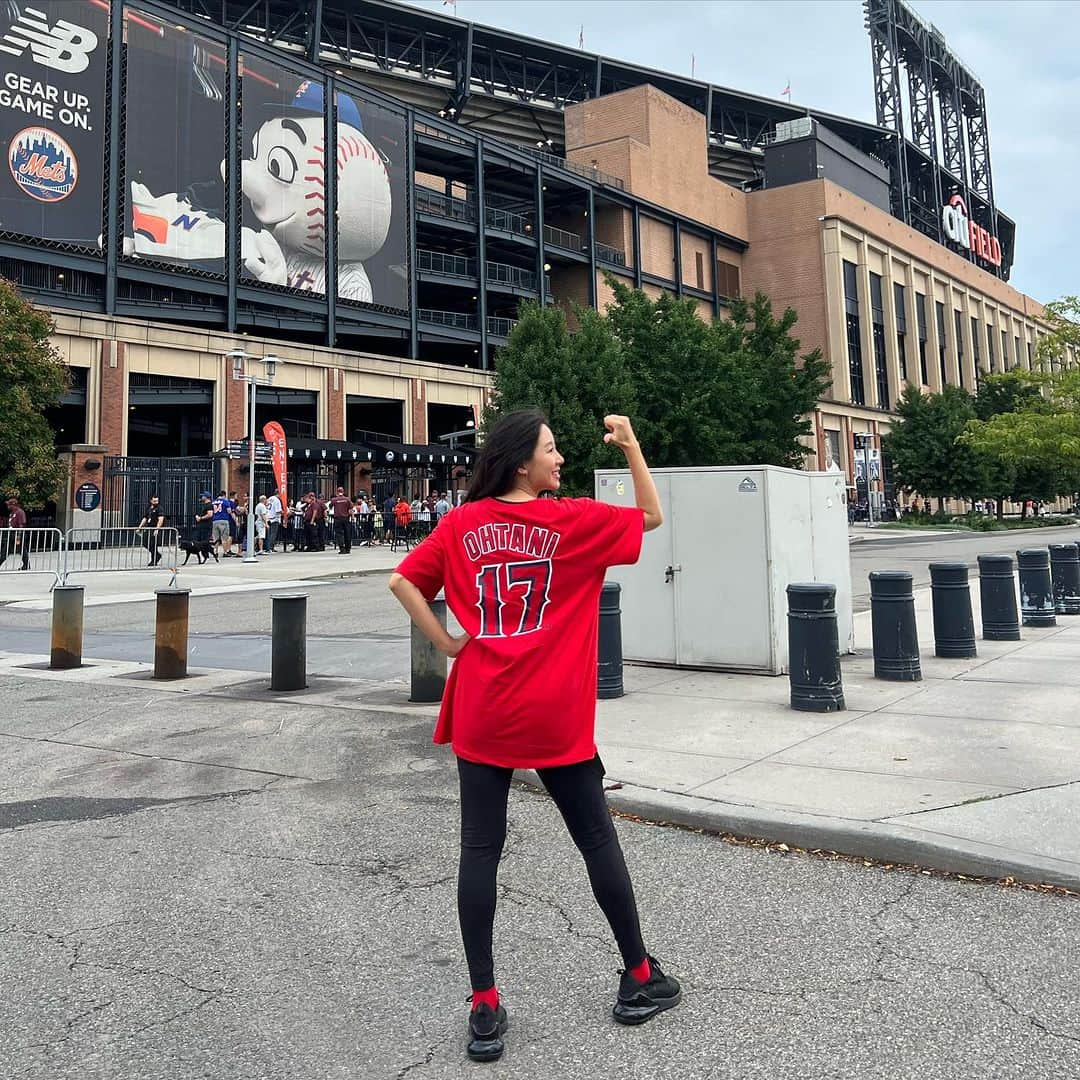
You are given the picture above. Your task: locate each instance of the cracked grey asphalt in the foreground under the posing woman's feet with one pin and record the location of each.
(194, 887)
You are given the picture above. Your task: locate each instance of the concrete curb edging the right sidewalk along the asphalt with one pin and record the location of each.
(867, 840)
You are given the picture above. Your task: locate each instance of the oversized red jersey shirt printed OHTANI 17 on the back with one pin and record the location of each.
(524, 580)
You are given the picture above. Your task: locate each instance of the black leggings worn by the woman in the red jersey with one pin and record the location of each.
(578, 791)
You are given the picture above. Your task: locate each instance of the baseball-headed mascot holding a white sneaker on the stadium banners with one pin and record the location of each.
(285, 182)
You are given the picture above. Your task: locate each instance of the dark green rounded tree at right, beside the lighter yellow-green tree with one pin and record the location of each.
(924, 449)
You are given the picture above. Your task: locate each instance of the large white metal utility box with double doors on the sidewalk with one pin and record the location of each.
(709, 590)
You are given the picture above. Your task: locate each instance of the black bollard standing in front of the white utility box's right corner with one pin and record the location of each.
(814, 649)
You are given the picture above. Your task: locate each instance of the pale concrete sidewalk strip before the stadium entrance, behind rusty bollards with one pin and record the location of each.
(277, 571)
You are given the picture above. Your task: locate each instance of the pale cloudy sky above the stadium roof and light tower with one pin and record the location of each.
(1025, 53)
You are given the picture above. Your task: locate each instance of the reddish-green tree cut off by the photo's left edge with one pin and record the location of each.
(33, 379)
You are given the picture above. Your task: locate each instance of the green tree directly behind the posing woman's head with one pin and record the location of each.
(576, 379)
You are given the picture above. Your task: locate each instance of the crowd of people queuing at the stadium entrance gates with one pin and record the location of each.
(312, 523)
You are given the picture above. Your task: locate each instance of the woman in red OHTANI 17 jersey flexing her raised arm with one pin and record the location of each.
(523, 575)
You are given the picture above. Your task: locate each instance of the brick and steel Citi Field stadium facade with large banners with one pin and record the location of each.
(168, 197)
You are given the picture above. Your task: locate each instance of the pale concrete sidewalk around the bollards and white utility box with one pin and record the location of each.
(976, 769)
